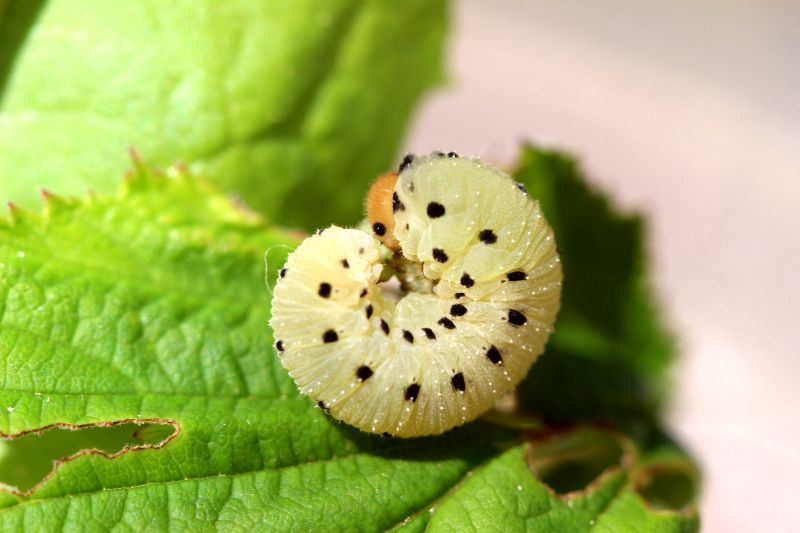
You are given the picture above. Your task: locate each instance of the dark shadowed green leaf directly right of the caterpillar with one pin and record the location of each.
(610, 351)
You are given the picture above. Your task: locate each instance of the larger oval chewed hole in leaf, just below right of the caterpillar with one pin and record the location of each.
(571, 461)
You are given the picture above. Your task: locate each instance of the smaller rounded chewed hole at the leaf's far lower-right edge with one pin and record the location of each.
(668, 487)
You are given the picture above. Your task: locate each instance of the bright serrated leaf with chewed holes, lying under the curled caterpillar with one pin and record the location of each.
(150, 307)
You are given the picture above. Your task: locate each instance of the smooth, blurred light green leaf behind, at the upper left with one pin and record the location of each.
(292, 105)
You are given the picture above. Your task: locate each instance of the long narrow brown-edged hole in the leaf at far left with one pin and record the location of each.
(27, 459)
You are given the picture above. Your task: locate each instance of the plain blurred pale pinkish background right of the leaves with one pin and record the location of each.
(689, 113)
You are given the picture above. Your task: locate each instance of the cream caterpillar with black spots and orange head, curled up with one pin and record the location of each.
(474, 291)
